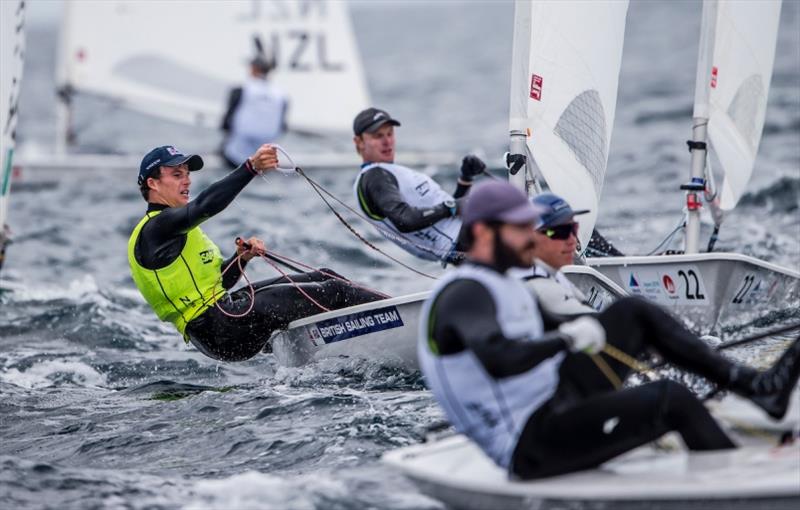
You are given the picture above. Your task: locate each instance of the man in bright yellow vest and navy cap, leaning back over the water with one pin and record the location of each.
(178, 269)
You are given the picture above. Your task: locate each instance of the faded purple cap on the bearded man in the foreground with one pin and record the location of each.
(498, 201)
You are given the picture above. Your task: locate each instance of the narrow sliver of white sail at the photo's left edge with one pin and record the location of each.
(12, 49)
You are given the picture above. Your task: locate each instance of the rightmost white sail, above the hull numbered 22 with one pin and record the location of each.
(744, 38)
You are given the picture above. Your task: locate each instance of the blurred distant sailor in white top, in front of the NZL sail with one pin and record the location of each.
(256, 114)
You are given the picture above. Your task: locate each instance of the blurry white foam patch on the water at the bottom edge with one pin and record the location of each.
(252, 490)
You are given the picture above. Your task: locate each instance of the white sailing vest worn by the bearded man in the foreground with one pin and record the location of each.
(492, 412)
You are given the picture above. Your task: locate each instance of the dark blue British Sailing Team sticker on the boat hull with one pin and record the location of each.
(356, 324)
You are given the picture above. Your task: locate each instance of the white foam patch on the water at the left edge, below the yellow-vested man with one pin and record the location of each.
(46, 373)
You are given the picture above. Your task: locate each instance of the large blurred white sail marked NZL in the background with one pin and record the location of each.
(178, 59)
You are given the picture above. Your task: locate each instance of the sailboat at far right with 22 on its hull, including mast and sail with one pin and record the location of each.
(736, 56)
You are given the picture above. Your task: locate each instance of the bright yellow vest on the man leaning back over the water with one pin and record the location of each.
(185, 288)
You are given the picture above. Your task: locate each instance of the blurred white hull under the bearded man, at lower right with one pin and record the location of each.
(759, 475)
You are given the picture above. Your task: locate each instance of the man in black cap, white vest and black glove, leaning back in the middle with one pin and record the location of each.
(406, 206)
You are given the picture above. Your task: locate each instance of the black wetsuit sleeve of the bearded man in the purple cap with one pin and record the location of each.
(464, 317)
